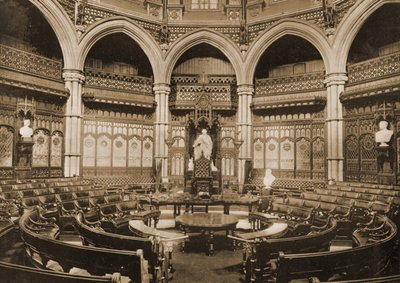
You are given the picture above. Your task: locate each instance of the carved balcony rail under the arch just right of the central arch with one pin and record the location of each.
(290, 84)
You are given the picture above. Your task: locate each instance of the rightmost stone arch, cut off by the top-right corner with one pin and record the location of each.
(349, 28)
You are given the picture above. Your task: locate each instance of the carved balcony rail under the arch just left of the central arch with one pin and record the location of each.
(127, 83)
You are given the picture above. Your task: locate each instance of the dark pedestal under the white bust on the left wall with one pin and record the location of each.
(24, 158)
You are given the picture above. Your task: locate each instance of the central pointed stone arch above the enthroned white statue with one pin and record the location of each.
(211, 37)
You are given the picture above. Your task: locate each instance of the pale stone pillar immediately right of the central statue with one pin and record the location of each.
(244, 127)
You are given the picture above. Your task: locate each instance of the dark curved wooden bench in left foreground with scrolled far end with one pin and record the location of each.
(42, 245)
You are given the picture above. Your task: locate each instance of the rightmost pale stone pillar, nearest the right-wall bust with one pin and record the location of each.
(335, 86)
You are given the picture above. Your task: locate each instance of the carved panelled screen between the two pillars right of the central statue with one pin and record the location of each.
(293, 146)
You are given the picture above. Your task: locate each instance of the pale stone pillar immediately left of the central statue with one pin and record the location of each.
(161, 92)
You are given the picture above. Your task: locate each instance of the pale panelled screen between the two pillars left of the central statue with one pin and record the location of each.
(117, 148)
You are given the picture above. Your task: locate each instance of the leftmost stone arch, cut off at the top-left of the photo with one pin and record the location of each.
(62, 27)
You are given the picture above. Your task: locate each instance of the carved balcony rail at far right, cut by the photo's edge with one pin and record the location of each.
(375, 68)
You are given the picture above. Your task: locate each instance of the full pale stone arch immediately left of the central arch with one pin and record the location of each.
(122, 25)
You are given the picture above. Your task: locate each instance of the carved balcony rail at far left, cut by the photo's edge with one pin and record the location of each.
(30, 63)
